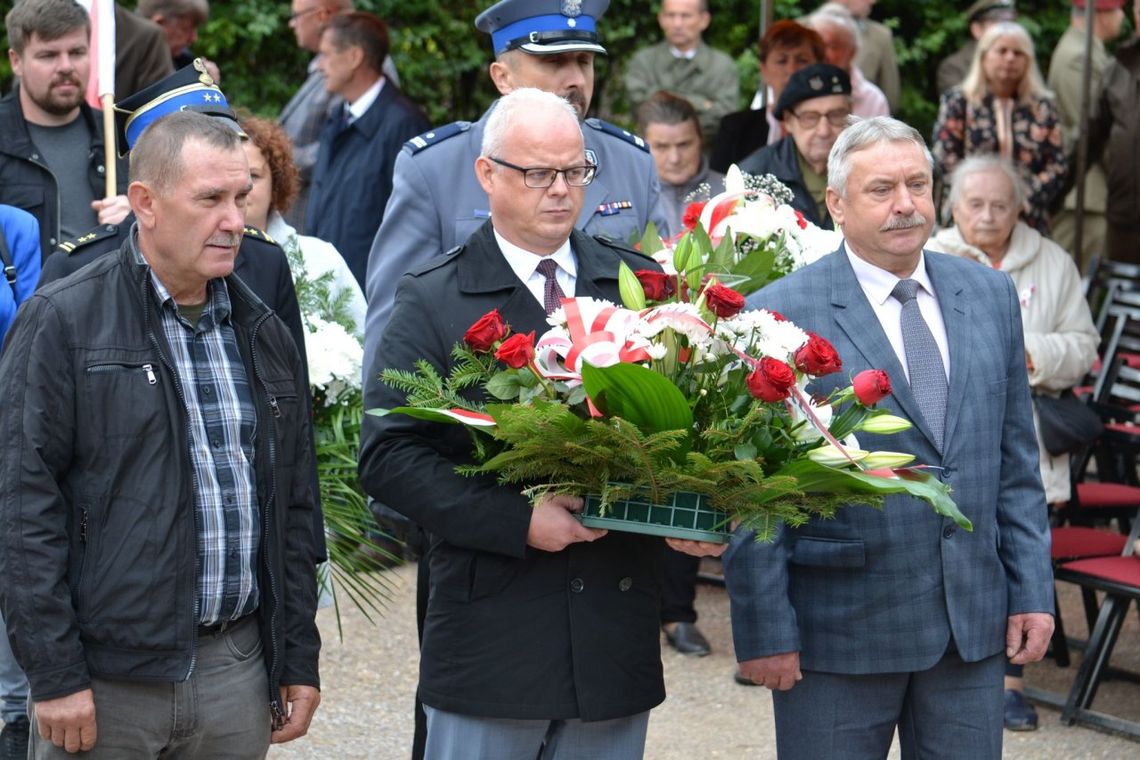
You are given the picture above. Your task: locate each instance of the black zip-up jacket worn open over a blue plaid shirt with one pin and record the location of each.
(99, 532)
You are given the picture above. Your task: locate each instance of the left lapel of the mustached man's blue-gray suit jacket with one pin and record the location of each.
(860, 324)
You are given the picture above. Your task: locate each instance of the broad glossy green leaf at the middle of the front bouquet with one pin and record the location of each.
(639, 396)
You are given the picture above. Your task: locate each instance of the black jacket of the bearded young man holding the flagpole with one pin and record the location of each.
(26, 181)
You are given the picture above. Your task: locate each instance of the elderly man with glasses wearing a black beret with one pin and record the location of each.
(813, 109)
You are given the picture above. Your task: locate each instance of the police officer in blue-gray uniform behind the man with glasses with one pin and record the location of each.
(436, 201)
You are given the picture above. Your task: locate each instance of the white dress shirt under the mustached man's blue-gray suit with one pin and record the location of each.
(877, 285)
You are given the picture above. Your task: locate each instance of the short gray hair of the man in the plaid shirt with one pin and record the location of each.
(157, 159)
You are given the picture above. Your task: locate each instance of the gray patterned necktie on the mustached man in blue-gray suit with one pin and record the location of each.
(924, 361)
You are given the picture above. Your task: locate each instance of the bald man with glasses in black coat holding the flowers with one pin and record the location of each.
(539, 630)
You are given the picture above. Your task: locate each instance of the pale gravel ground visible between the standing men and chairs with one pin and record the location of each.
(370, 681)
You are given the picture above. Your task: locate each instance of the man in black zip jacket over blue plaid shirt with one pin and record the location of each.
(129, 399)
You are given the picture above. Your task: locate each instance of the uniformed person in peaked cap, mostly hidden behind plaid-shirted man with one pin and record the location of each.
(260, 263)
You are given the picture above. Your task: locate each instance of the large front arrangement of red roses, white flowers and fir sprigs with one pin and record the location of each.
(680, 390)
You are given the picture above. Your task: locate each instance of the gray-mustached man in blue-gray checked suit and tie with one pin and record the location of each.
(895, 618)
